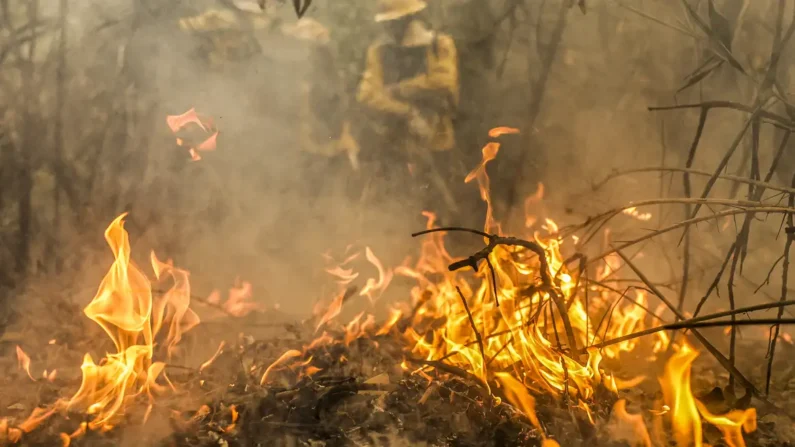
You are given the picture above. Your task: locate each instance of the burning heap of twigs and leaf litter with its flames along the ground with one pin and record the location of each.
(525, 351)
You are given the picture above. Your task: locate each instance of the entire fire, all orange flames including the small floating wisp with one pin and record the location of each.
(521, 325)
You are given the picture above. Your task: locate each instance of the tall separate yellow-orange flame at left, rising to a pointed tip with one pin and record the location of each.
(132, 317)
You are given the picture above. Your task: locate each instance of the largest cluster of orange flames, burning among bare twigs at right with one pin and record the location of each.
(508, 330)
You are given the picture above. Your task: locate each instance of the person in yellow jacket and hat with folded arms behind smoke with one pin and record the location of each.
(410, 89)
